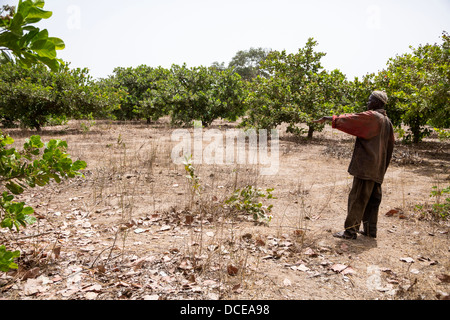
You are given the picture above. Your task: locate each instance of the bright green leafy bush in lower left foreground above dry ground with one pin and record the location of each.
(36, 165)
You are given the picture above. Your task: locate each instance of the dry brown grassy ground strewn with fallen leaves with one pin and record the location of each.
(134, 226)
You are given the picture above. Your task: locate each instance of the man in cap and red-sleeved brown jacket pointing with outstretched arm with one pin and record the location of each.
(371, 157)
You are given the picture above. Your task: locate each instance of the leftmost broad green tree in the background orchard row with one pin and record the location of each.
(34, 95)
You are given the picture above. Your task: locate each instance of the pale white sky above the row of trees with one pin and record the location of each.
(359, 36)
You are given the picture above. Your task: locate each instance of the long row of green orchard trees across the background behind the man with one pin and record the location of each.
(262, 87)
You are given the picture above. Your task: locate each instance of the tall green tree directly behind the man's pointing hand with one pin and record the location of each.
(297, 91)
